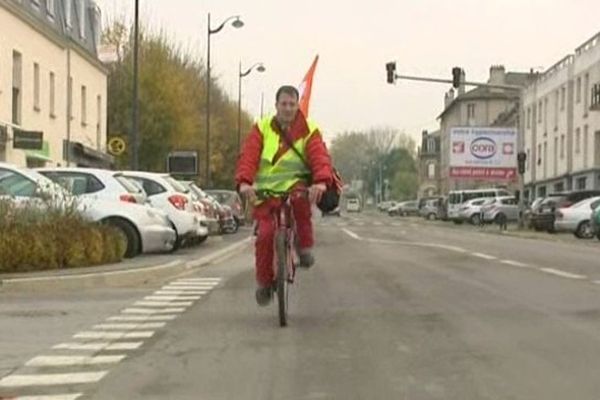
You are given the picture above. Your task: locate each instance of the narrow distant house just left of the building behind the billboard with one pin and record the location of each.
(429, 164)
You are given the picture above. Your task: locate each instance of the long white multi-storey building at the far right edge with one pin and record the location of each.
(562, 124)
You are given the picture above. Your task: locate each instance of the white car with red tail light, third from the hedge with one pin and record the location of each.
(166, 194)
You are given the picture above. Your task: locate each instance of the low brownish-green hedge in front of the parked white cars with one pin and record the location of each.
(34, 238)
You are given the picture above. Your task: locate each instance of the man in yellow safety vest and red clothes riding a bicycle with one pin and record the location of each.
(269, 163)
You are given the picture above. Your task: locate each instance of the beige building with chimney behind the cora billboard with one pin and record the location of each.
(483, 107)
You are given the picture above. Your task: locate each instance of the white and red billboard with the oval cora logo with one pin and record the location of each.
(483, 153)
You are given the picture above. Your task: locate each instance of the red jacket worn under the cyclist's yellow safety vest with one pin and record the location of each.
(317, 155)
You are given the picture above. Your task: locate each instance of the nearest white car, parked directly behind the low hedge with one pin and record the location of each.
(144, 229)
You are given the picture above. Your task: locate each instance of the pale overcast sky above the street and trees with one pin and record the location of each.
(356, 38)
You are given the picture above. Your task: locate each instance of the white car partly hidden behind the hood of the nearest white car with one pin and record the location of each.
(96, 183)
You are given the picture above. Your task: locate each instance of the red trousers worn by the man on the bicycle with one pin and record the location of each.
(264, 215)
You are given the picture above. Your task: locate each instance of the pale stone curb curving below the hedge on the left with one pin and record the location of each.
(117, 278)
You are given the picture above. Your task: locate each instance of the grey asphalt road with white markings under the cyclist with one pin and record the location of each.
(394, 309)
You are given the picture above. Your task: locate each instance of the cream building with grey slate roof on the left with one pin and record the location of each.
(52, 82)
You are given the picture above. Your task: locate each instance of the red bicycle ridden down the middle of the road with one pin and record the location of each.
(286, 254)
